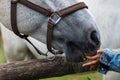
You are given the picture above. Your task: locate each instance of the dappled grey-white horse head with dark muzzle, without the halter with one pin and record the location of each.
(75, 34)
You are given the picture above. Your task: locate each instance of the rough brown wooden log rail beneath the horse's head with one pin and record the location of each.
(38, 69)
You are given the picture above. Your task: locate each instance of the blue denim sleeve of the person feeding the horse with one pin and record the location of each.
(110, 61)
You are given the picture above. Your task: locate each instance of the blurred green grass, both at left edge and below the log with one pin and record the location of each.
(81, 76)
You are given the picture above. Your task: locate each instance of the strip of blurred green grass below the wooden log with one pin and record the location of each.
(81, 76)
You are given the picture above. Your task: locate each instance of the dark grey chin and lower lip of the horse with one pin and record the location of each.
(75, 56)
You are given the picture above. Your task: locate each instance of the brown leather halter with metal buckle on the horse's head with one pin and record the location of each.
(54, 18)
